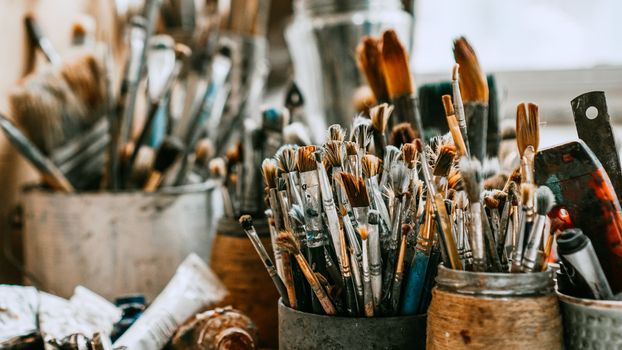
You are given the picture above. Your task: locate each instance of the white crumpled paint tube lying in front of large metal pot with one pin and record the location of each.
(193, 287)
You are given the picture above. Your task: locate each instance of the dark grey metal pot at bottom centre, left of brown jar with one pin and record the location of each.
(301, 330)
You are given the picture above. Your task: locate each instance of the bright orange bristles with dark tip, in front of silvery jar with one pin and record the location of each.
(395, 66)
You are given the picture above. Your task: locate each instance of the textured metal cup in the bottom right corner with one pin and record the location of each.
(591, 324)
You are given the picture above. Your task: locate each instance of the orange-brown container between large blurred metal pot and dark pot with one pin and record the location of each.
(251, 289)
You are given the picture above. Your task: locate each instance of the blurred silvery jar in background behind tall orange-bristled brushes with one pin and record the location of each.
(322, 40)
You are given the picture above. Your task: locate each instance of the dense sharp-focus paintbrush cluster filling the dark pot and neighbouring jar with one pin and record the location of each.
(357, 235)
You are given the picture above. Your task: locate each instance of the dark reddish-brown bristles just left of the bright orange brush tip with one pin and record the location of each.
(369, 58)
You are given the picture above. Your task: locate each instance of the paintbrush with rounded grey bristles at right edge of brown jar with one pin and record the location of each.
(532, 258)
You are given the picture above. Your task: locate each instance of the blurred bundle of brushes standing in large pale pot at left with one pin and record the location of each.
(81, 135)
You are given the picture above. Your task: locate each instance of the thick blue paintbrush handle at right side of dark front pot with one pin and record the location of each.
(414, 283)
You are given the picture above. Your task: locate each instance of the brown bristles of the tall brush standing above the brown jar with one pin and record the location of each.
(473, 83)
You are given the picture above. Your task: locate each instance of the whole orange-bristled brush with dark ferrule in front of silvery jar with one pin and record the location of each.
(399, 82)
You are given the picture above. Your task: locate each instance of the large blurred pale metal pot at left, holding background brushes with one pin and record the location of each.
(114, 243)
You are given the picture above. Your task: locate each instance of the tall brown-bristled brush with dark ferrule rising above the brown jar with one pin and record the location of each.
(474, 91)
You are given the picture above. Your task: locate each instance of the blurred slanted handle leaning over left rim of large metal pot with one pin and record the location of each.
(49, 172)
